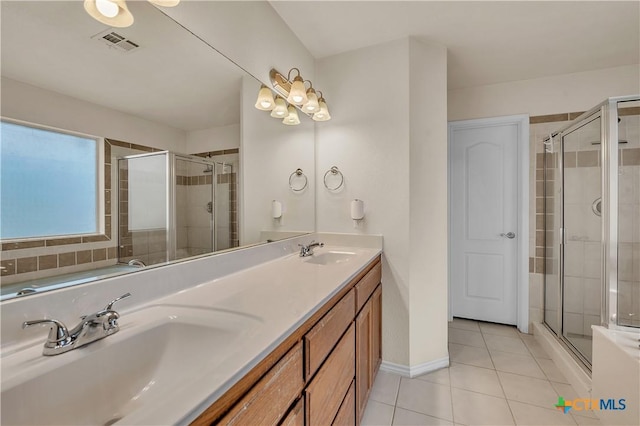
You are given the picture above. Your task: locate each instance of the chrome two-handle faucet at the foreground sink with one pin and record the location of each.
(93, 327)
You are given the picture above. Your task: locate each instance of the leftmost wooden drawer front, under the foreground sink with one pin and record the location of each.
(268, 401)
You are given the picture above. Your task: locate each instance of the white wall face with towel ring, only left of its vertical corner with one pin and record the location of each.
(368, 139)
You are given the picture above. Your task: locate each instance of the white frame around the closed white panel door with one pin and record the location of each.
(522, 286)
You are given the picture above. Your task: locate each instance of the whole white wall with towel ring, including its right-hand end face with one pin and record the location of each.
(391, 144)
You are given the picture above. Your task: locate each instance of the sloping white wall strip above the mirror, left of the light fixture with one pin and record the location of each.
(250, 33)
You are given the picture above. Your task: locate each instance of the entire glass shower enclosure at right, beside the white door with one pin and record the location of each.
(592, 224)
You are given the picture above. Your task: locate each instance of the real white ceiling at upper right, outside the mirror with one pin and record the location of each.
(488, 42)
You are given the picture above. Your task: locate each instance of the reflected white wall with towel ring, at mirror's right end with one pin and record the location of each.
(270, 151)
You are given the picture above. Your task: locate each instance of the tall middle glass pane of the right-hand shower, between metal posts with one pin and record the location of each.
(582, 224)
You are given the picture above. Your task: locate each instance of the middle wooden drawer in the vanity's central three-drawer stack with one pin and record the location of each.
(325, 393)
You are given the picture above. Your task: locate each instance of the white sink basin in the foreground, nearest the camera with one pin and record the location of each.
(157, 351)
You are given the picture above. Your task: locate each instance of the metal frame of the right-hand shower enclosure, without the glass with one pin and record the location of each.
(608, 112)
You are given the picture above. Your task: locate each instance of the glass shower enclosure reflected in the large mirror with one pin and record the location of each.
(172, 206)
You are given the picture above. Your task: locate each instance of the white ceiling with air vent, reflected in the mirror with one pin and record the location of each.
(174, 78)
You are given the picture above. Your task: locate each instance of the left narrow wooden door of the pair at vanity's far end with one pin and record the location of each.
(363, 358)
